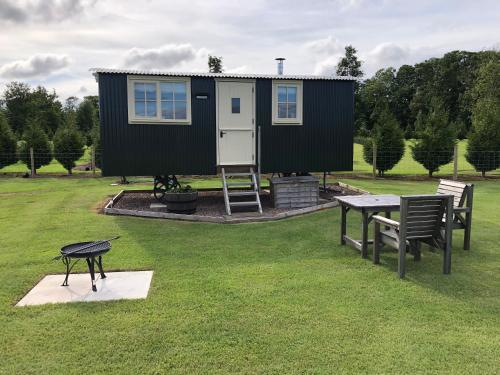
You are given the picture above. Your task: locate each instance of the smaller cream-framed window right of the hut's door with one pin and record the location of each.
(287, 102)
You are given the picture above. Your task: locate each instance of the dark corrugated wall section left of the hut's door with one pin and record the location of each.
(149, 149)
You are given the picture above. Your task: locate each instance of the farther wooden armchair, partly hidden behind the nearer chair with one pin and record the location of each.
(462, 205)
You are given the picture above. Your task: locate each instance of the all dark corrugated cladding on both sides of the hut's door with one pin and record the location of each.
(323, 143)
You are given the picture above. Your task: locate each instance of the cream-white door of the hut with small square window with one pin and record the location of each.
(235, 123)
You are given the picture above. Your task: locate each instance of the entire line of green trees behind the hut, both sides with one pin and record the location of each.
(433, 103)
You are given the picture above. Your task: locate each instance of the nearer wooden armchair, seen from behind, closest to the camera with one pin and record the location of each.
(420, 221)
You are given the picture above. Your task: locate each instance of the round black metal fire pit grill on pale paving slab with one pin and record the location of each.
(91, 251)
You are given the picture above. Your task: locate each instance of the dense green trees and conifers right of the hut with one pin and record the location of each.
(434, 103)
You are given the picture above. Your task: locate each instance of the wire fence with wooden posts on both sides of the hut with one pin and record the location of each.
(388, 162)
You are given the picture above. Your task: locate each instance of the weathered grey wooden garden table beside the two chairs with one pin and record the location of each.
(368, 205)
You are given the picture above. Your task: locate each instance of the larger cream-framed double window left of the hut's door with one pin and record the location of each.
(159, 100)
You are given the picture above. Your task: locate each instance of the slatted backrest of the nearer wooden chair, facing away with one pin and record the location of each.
(421, 216)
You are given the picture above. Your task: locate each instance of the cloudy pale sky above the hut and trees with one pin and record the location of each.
(54, 43)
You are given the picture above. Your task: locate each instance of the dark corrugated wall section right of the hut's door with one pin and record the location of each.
(325, 140)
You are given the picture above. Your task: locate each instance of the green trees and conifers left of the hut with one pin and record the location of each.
(35, 118)
